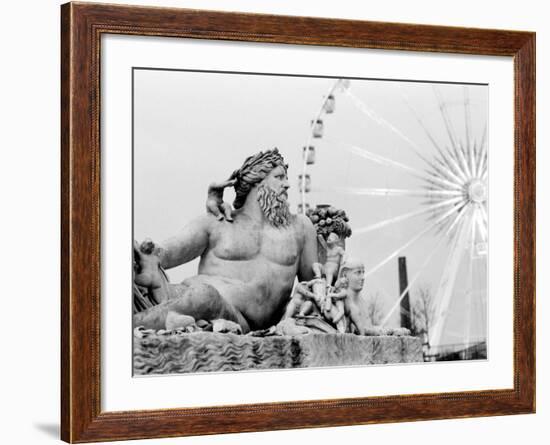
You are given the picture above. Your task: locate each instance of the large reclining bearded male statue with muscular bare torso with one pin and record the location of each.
(249, 258)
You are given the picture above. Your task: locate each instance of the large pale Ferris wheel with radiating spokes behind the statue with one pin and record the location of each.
(448, 185)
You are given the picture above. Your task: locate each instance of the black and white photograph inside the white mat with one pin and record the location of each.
(287, 221)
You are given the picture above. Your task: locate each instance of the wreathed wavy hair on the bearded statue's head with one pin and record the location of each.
(254, 170)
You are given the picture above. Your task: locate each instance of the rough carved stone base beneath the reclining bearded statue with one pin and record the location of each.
(176, 353)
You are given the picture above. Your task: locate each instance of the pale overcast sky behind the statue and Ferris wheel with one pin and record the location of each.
(194, 128)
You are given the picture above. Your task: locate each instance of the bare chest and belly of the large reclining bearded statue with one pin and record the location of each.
(252, 266)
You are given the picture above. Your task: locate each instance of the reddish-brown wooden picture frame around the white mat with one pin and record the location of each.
(82, 25)
